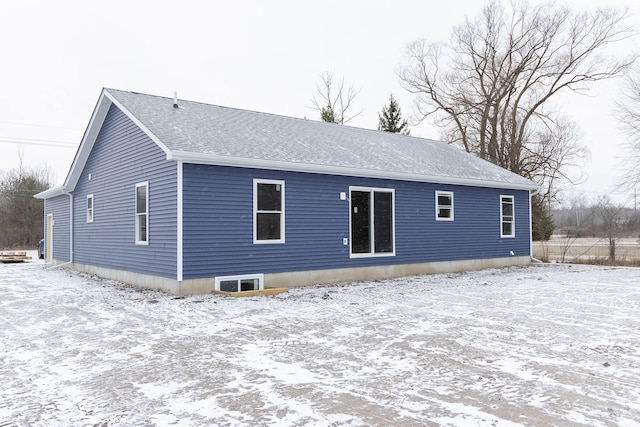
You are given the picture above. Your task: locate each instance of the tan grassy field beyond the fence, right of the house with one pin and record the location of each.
(588, 250)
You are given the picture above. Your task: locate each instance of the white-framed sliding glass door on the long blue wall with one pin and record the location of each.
(372, 222)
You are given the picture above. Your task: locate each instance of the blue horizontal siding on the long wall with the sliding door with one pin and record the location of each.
(218, 227)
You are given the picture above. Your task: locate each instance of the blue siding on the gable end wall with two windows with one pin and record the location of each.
(121, 157)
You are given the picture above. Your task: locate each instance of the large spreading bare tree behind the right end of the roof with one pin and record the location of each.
(490, 87)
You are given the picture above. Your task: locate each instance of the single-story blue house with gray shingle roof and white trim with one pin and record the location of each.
(188, 198)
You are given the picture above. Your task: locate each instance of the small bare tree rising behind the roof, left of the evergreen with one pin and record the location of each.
(333, 100)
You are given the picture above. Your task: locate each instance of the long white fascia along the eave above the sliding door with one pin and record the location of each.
(210, 159)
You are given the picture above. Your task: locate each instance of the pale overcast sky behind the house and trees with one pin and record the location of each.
(258, 55)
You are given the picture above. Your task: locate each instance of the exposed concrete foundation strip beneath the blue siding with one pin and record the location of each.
(301, 278)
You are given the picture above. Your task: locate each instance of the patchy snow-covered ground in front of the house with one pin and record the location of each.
(546, 345)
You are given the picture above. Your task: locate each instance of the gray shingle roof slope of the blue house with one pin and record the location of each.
(214, 134)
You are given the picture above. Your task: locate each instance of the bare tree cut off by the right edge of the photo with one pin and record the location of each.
(627, 110)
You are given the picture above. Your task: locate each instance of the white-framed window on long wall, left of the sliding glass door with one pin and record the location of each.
(268, 211)
